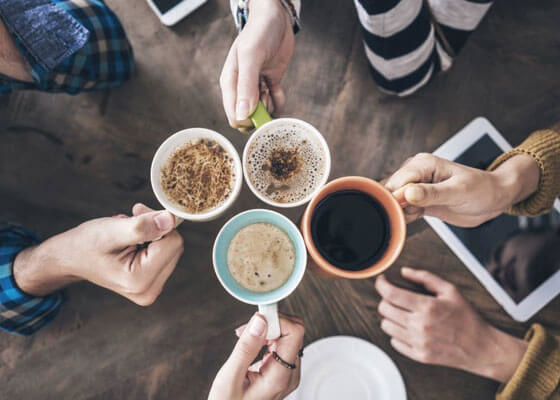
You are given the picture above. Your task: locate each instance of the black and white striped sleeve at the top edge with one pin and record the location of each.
(406, 41)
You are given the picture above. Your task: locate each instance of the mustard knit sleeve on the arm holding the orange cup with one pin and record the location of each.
(544, 147)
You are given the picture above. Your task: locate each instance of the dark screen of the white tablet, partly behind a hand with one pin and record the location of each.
(519, 252)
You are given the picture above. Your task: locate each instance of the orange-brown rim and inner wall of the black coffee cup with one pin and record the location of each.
(397, 221)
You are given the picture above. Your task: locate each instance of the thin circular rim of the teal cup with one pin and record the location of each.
(299, 275)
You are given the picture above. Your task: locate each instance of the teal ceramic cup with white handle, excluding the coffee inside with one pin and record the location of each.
(267, 302)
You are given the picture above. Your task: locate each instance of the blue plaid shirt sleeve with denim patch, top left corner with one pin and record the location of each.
(70, 45)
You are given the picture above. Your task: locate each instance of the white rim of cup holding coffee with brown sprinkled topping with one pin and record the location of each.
(161, 155)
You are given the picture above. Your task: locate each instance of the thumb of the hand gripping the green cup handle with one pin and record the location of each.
(247, 87)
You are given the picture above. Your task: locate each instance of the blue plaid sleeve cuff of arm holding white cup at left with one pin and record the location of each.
(20, 313)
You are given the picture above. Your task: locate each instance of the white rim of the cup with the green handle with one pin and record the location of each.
(323, 181)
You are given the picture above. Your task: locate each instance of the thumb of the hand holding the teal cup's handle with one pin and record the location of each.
(247, 348)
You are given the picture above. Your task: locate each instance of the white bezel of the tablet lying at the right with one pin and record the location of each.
(544, 293)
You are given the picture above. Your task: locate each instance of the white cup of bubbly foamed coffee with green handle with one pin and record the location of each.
(267, 131)
